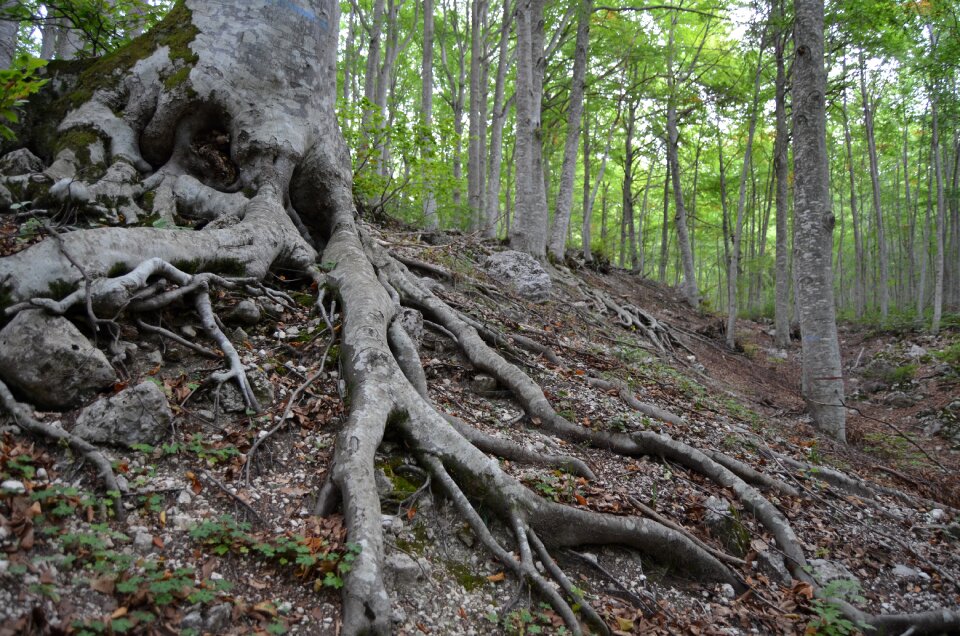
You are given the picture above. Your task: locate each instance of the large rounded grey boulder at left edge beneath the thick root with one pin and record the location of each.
(49, 360)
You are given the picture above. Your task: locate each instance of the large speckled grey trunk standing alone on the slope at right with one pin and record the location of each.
(814, 222)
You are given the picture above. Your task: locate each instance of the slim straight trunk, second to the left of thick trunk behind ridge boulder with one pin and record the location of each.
(475, 140)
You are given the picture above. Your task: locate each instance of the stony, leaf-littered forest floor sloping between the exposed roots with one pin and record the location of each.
(203, 550)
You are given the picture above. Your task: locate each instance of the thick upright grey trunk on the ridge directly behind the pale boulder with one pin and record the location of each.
(528, 232)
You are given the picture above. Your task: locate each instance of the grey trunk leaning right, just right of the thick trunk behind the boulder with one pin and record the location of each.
(564, 202)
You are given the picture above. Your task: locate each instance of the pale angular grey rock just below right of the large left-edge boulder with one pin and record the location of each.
(138, 415)
